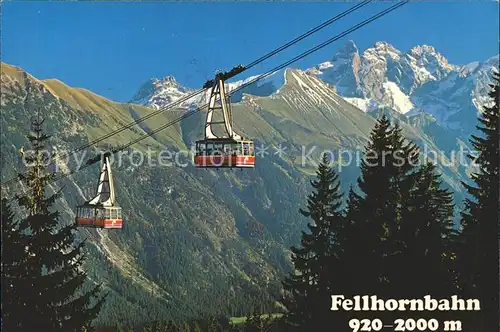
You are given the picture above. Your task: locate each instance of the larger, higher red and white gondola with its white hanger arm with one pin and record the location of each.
(231, 151)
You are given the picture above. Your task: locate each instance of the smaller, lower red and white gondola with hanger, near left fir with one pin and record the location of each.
(102, 210)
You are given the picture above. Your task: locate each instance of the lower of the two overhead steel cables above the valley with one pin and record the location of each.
(312, 50)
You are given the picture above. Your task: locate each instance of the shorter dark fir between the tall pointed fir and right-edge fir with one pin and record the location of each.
(426, 234)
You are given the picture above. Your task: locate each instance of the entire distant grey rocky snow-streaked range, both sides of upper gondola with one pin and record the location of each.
(418, 81)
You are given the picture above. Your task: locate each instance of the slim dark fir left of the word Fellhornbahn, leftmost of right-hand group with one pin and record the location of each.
(308, 290)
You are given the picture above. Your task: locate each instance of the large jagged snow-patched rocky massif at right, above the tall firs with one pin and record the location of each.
(419, 80)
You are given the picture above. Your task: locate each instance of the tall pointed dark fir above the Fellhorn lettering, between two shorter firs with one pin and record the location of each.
(375, 215)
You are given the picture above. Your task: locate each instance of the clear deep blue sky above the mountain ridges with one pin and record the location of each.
(112, 48)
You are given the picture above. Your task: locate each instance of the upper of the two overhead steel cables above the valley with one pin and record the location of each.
(197, 92)
